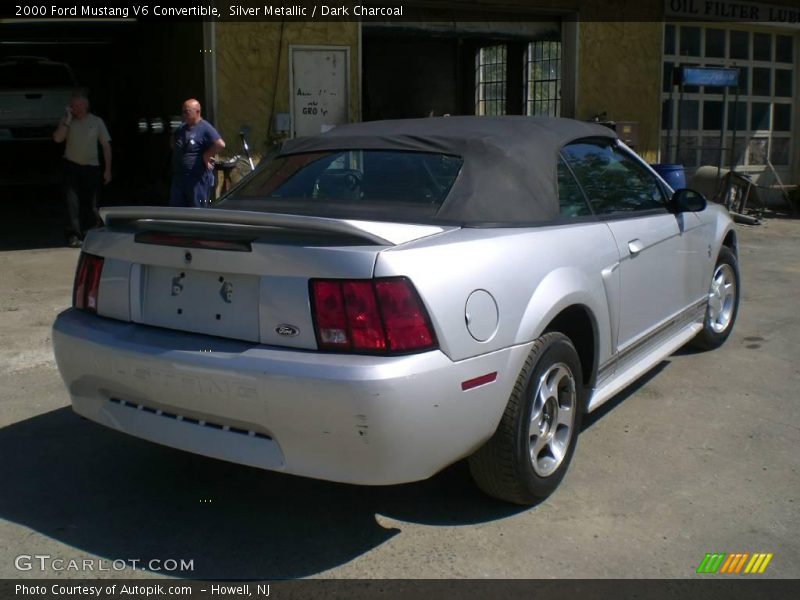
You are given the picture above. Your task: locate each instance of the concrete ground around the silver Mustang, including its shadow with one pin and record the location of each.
(701, 456)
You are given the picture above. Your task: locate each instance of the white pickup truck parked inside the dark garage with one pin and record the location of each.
(33, 94)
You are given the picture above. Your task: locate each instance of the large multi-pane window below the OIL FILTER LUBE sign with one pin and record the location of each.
(764, 115)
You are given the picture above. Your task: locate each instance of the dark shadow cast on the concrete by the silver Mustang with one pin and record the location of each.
(117, 497)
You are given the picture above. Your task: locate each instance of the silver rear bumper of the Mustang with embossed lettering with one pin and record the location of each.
(356, 419)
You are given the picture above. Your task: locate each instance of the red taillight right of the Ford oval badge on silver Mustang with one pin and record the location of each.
(370, 315)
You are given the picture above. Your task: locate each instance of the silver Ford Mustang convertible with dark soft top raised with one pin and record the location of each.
(380, 301)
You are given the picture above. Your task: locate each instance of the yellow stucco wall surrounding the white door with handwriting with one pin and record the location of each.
(250, 91)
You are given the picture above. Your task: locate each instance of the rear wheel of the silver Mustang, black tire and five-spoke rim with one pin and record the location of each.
(504, 467)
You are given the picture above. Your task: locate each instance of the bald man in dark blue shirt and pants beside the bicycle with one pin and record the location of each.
(194, 145)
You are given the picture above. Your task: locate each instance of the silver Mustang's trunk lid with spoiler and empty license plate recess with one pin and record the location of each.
(235, 274)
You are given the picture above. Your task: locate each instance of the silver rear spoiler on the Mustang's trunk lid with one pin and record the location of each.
(374, 232)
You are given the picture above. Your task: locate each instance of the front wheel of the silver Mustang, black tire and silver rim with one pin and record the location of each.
(721, 311)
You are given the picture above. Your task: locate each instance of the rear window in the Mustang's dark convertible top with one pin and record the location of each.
(390, 184)
